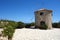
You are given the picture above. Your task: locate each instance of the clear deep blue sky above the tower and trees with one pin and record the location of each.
(23, 10)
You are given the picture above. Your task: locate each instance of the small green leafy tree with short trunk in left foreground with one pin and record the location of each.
(8, 31)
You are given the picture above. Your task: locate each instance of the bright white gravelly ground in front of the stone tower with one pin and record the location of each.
(36, 34)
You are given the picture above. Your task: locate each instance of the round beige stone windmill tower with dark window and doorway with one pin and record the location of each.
(43, 16)
